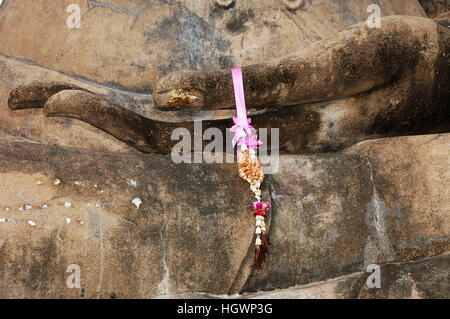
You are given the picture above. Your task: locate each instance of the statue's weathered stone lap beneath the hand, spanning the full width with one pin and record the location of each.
(333, 215)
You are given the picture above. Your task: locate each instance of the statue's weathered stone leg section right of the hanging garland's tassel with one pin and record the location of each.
(384, 200)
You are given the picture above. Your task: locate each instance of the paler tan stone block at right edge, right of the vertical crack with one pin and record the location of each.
(411, 194)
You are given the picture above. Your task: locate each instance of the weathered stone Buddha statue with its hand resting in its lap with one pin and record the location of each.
(115, 85)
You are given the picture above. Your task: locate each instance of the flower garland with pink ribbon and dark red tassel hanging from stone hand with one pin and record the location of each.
(249, 166)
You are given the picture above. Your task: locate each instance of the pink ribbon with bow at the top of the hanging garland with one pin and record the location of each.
(244, 132)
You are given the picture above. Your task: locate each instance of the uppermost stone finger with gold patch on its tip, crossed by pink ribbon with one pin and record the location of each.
(355, 61)
